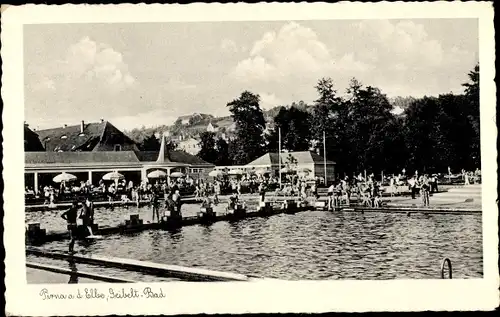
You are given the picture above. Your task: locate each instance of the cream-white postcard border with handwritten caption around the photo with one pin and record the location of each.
(266, 296)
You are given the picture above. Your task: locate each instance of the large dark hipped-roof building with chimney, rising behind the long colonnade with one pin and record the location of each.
(86, 137)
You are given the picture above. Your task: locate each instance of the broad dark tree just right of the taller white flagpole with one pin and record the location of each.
(369, 133)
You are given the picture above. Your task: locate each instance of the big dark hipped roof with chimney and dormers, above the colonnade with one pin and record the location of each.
(70, 138)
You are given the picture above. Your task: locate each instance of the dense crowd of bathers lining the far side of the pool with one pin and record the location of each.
(367, 190)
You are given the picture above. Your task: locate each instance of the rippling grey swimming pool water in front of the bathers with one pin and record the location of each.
(307, 245)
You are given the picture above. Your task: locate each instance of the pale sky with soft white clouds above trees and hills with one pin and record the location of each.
(148, 74)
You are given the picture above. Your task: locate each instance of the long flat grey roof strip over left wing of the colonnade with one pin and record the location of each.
(80, 157)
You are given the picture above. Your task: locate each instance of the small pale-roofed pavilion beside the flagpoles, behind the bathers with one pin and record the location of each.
(293, 160)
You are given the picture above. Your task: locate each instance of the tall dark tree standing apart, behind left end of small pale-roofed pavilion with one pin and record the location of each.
(250, 123)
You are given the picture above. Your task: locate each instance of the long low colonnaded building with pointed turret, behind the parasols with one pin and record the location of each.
(41, 167)
